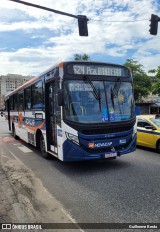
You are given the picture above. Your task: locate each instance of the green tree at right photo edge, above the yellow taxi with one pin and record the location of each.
(156, 84)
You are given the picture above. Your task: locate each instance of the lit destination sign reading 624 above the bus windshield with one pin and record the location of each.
(96, 70)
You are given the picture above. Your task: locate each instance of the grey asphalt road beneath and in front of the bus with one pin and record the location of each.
(123, 190)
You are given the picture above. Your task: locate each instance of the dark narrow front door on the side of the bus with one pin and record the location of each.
(51, 119)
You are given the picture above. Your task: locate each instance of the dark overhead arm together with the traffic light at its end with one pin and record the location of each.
(82, 19)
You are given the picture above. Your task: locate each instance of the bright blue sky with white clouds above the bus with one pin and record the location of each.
(32, 40)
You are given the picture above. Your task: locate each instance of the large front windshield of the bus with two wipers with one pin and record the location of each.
(98, 101)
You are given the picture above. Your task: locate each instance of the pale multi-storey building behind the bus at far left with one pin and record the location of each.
(10, 82)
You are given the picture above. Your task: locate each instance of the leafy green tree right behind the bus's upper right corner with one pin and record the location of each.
(141, 82)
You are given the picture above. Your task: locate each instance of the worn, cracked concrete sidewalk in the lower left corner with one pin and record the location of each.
(23, 198)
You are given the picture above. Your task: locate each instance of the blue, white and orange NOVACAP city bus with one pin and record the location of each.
(76, 110)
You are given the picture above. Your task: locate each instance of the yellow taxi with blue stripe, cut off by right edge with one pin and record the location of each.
(148, 131)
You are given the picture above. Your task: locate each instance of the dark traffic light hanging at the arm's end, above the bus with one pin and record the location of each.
(82, 24)
